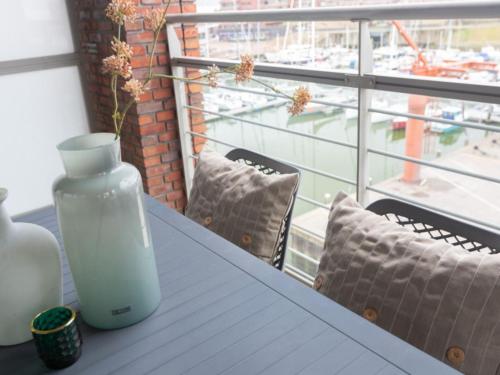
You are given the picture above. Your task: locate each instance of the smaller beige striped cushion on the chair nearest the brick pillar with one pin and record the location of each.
(240, 203)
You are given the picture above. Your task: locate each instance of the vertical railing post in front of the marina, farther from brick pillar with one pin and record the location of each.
(365, 65)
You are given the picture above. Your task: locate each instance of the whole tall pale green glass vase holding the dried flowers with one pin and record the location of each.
(105, 230)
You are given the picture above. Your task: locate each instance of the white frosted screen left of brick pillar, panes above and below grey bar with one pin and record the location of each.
(39, 108)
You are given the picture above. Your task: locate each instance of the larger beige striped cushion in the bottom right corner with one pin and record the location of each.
(439, 298)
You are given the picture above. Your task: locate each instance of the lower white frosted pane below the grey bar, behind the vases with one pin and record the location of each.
(38, 110)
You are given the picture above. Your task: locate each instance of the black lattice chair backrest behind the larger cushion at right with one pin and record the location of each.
(437, 226)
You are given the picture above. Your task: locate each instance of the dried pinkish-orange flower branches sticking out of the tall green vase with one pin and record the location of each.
(118, 65)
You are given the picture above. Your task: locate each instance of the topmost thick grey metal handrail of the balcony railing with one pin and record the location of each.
(426, 11)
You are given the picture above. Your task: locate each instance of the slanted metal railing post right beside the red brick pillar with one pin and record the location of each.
(175, 50)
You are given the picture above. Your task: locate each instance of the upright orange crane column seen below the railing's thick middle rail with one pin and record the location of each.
(414, 137)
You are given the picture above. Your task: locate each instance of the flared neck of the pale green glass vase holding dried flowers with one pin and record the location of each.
(90, 154)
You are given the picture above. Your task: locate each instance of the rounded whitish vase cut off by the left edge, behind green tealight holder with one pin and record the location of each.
(30, 276)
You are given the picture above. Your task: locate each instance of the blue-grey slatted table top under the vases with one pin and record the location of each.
(225, 312)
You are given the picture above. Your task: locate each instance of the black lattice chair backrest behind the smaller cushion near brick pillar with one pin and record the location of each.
(269, 166)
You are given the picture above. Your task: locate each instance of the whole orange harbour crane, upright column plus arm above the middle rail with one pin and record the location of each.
(418, 103)
